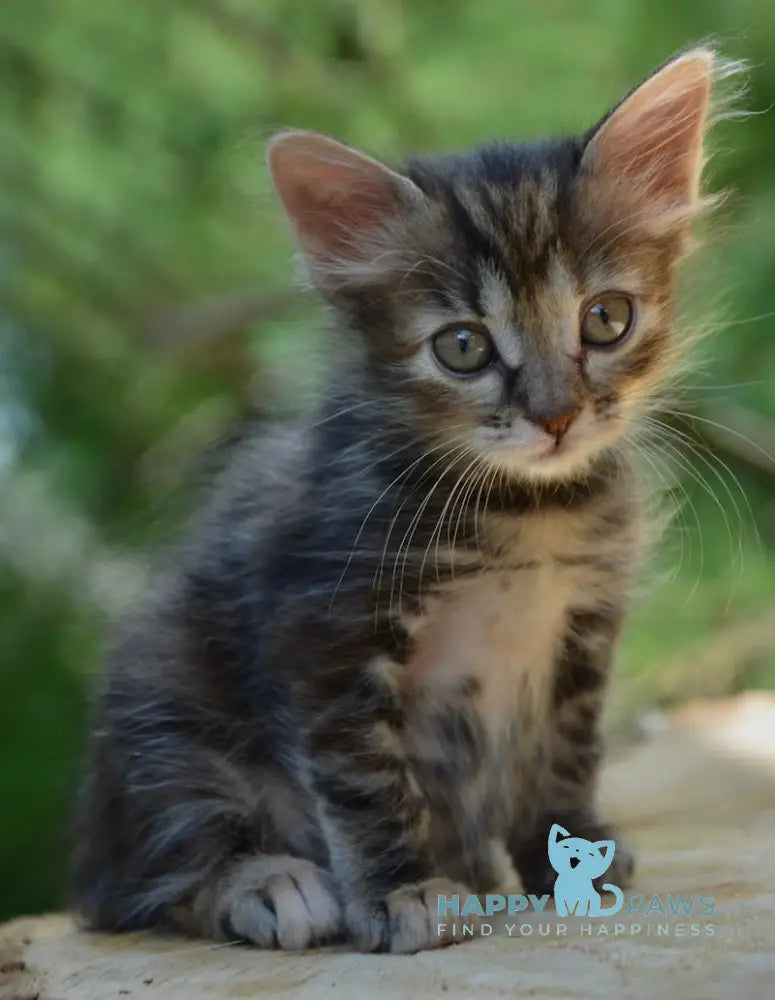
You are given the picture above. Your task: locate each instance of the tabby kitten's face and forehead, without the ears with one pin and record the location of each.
(531, 328)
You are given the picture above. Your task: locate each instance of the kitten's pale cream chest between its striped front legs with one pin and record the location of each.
(486, 648)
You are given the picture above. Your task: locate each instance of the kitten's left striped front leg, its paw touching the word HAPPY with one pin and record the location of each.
(373, 814)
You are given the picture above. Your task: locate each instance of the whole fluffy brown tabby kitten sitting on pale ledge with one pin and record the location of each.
(376, 672)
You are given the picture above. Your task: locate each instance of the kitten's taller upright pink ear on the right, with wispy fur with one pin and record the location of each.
(652, 143)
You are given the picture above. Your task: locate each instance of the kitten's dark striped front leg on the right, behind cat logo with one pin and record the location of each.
(568, 784)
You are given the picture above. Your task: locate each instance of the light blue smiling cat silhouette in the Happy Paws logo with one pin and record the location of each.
(578, 863)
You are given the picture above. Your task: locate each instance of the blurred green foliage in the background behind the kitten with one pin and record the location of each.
(145, 302)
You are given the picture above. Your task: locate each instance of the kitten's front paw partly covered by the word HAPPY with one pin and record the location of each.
(408, 919)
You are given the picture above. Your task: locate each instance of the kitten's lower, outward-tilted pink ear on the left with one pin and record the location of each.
(338, 200)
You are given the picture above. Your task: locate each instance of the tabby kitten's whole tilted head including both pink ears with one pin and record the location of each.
(517, 301)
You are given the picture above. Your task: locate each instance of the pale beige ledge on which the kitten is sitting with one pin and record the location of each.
(696, 798)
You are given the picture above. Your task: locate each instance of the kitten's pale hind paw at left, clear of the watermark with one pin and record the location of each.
(278, 901)
